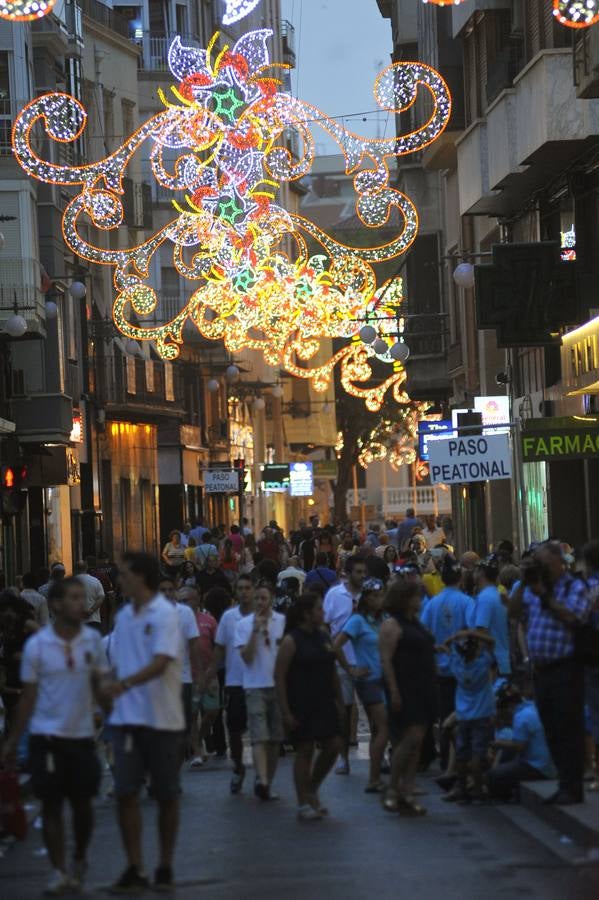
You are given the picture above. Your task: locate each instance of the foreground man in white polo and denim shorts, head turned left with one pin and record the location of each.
(147, 719)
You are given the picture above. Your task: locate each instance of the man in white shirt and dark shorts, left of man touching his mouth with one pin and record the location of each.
(226, 650)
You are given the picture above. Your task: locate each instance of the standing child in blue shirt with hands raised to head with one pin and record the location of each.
(471, 663)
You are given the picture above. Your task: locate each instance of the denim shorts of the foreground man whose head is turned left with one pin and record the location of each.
(139, 751)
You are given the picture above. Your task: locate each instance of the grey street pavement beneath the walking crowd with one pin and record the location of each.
(237, 847)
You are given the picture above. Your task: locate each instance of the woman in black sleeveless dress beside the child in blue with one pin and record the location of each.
(409, 668)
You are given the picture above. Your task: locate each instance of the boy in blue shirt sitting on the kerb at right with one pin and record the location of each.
(525, 755)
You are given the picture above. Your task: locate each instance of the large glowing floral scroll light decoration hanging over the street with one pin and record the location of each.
(258, 287)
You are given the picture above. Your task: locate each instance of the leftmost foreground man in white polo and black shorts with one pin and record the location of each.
(59, 670)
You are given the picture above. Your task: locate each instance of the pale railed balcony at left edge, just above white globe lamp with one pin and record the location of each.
(20, 281)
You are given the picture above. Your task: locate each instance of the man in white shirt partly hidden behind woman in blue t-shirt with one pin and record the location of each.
(339, 604)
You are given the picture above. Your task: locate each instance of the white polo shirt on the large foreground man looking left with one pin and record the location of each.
(139, 637)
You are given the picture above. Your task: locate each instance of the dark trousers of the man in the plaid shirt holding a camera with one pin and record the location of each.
(559, 693)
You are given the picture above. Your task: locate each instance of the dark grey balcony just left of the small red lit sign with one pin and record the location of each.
(43, 418)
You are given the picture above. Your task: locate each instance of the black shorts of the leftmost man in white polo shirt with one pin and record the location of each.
(63, 767)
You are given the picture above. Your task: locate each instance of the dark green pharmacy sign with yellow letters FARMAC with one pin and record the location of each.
(560, 438)
